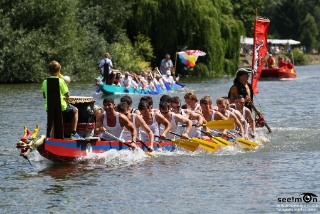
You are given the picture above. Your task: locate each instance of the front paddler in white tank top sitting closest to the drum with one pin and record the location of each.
(113, 122)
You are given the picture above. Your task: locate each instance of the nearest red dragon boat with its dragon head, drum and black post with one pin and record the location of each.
(56, 145)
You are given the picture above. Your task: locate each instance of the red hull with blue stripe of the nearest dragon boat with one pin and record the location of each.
(58, 150)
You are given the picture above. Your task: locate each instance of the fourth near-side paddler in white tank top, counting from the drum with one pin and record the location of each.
(174, 120)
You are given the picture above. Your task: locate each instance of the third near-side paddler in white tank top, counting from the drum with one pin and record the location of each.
(153, 120)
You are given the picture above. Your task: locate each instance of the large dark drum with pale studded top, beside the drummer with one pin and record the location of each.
(86, 120)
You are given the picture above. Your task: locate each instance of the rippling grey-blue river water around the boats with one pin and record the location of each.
(229, 181)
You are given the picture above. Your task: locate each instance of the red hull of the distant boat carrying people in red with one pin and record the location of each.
(278, 73)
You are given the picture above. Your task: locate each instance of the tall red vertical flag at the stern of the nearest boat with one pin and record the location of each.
(260, 48)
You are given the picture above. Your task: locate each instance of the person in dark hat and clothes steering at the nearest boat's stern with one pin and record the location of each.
(242, 87)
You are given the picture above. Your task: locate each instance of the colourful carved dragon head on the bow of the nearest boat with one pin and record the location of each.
(29, 142)
